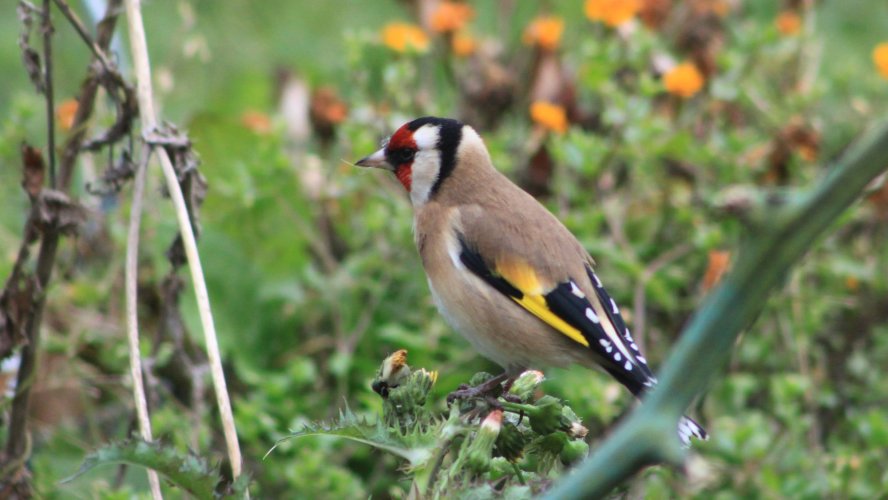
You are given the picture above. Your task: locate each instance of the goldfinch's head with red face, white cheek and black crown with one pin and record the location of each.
(423, 153)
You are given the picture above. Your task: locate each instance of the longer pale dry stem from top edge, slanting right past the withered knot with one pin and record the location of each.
(139, 47)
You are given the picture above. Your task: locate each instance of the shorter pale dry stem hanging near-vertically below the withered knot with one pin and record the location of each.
(132, 320)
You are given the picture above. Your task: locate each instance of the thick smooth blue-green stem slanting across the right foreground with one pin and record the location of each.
(784, 232)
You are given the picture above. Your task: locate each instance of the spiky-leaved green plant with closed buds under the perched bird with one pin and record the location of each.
(513, 444)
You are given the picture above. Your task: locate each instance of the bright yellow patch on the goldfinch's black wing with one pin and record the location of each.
(523, 277)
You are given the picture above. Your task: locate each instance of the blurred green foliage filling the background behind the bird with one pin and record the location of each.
(313, 275)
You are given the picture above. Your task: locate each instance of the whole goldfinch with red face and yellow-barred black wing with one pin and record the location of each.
(503, 271)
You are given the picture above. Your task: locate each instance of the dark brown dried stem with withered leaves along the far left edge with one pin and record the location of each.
(53, 214)
